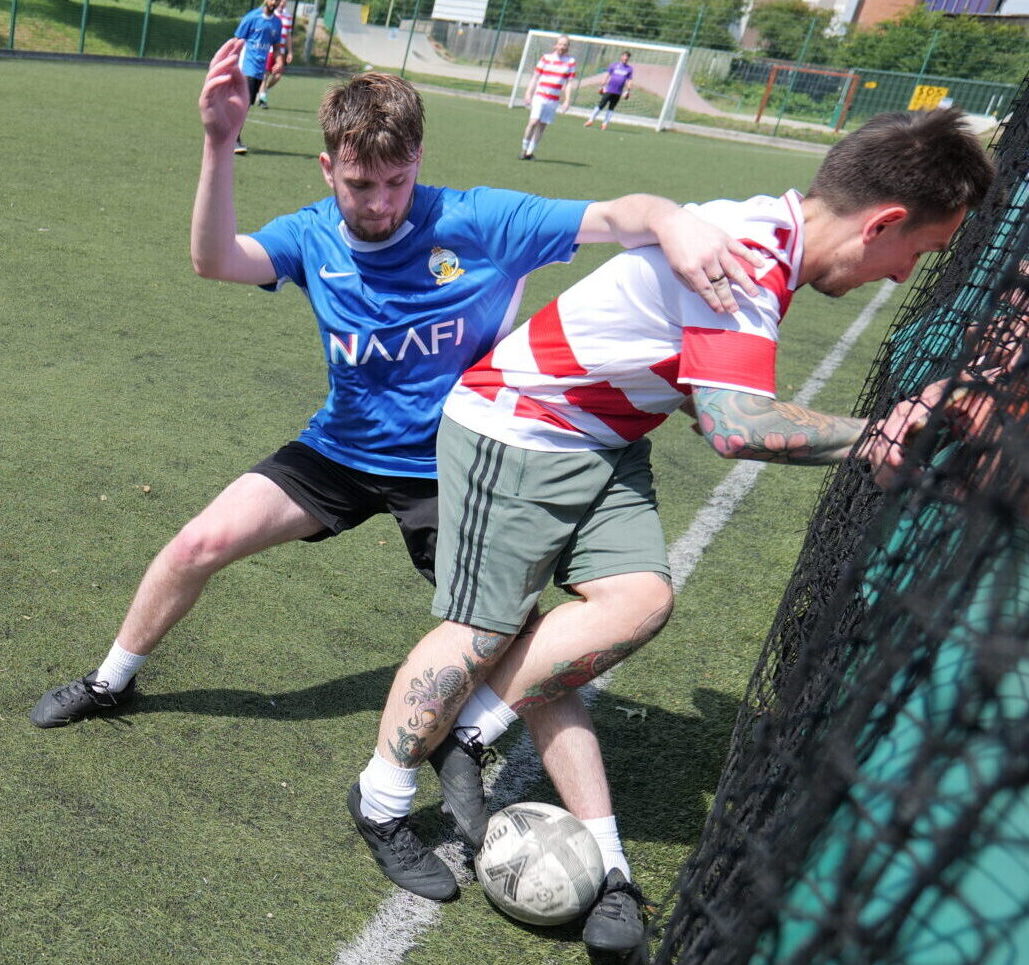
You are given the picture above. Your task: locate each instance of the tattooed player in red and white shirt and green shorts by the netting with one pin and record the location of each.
(545, 471)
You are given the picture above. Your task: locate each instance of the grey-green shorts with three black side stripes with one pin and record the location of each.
(512, 520)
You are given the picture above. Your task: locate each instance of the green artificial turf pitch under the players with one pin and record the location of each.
(209, 827)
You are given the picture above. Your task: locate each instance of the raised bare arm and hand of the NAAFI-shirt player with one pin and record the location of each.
(217, 249)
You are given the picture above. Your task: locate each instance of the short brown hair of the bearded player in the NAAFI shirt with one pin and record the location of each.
(374, 119)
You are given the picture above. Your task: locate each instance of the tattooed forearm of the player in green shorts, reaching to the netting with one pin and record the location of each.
(740, 425)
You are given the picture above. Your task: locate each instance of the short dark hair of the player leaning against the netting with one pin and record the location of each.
(931, 162)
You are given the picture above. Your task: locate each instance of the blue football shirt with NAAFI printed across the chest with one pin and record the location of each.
(401, 320)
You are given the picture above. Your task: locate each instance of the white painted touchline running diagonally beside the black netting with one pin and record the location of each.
(403, 918)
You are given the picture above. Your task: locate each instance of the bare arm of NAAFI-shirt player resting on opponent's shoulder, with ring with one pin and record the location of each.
(703, 257)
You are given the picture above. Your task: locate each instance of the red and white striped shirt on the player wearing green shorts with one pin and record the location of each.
(610, 360)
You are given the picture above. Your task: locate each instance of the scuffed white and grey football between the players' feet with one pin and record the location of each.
(540, 865)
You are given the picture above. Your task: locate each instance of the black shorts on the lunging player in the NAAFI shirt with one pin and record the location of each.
(342, 498)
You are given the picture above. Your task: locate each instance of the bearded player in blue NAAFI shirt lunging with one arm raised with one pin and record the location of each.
(410, 285)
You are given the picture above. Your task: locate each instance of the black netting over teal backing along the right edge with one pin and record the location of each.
(875, 805)
